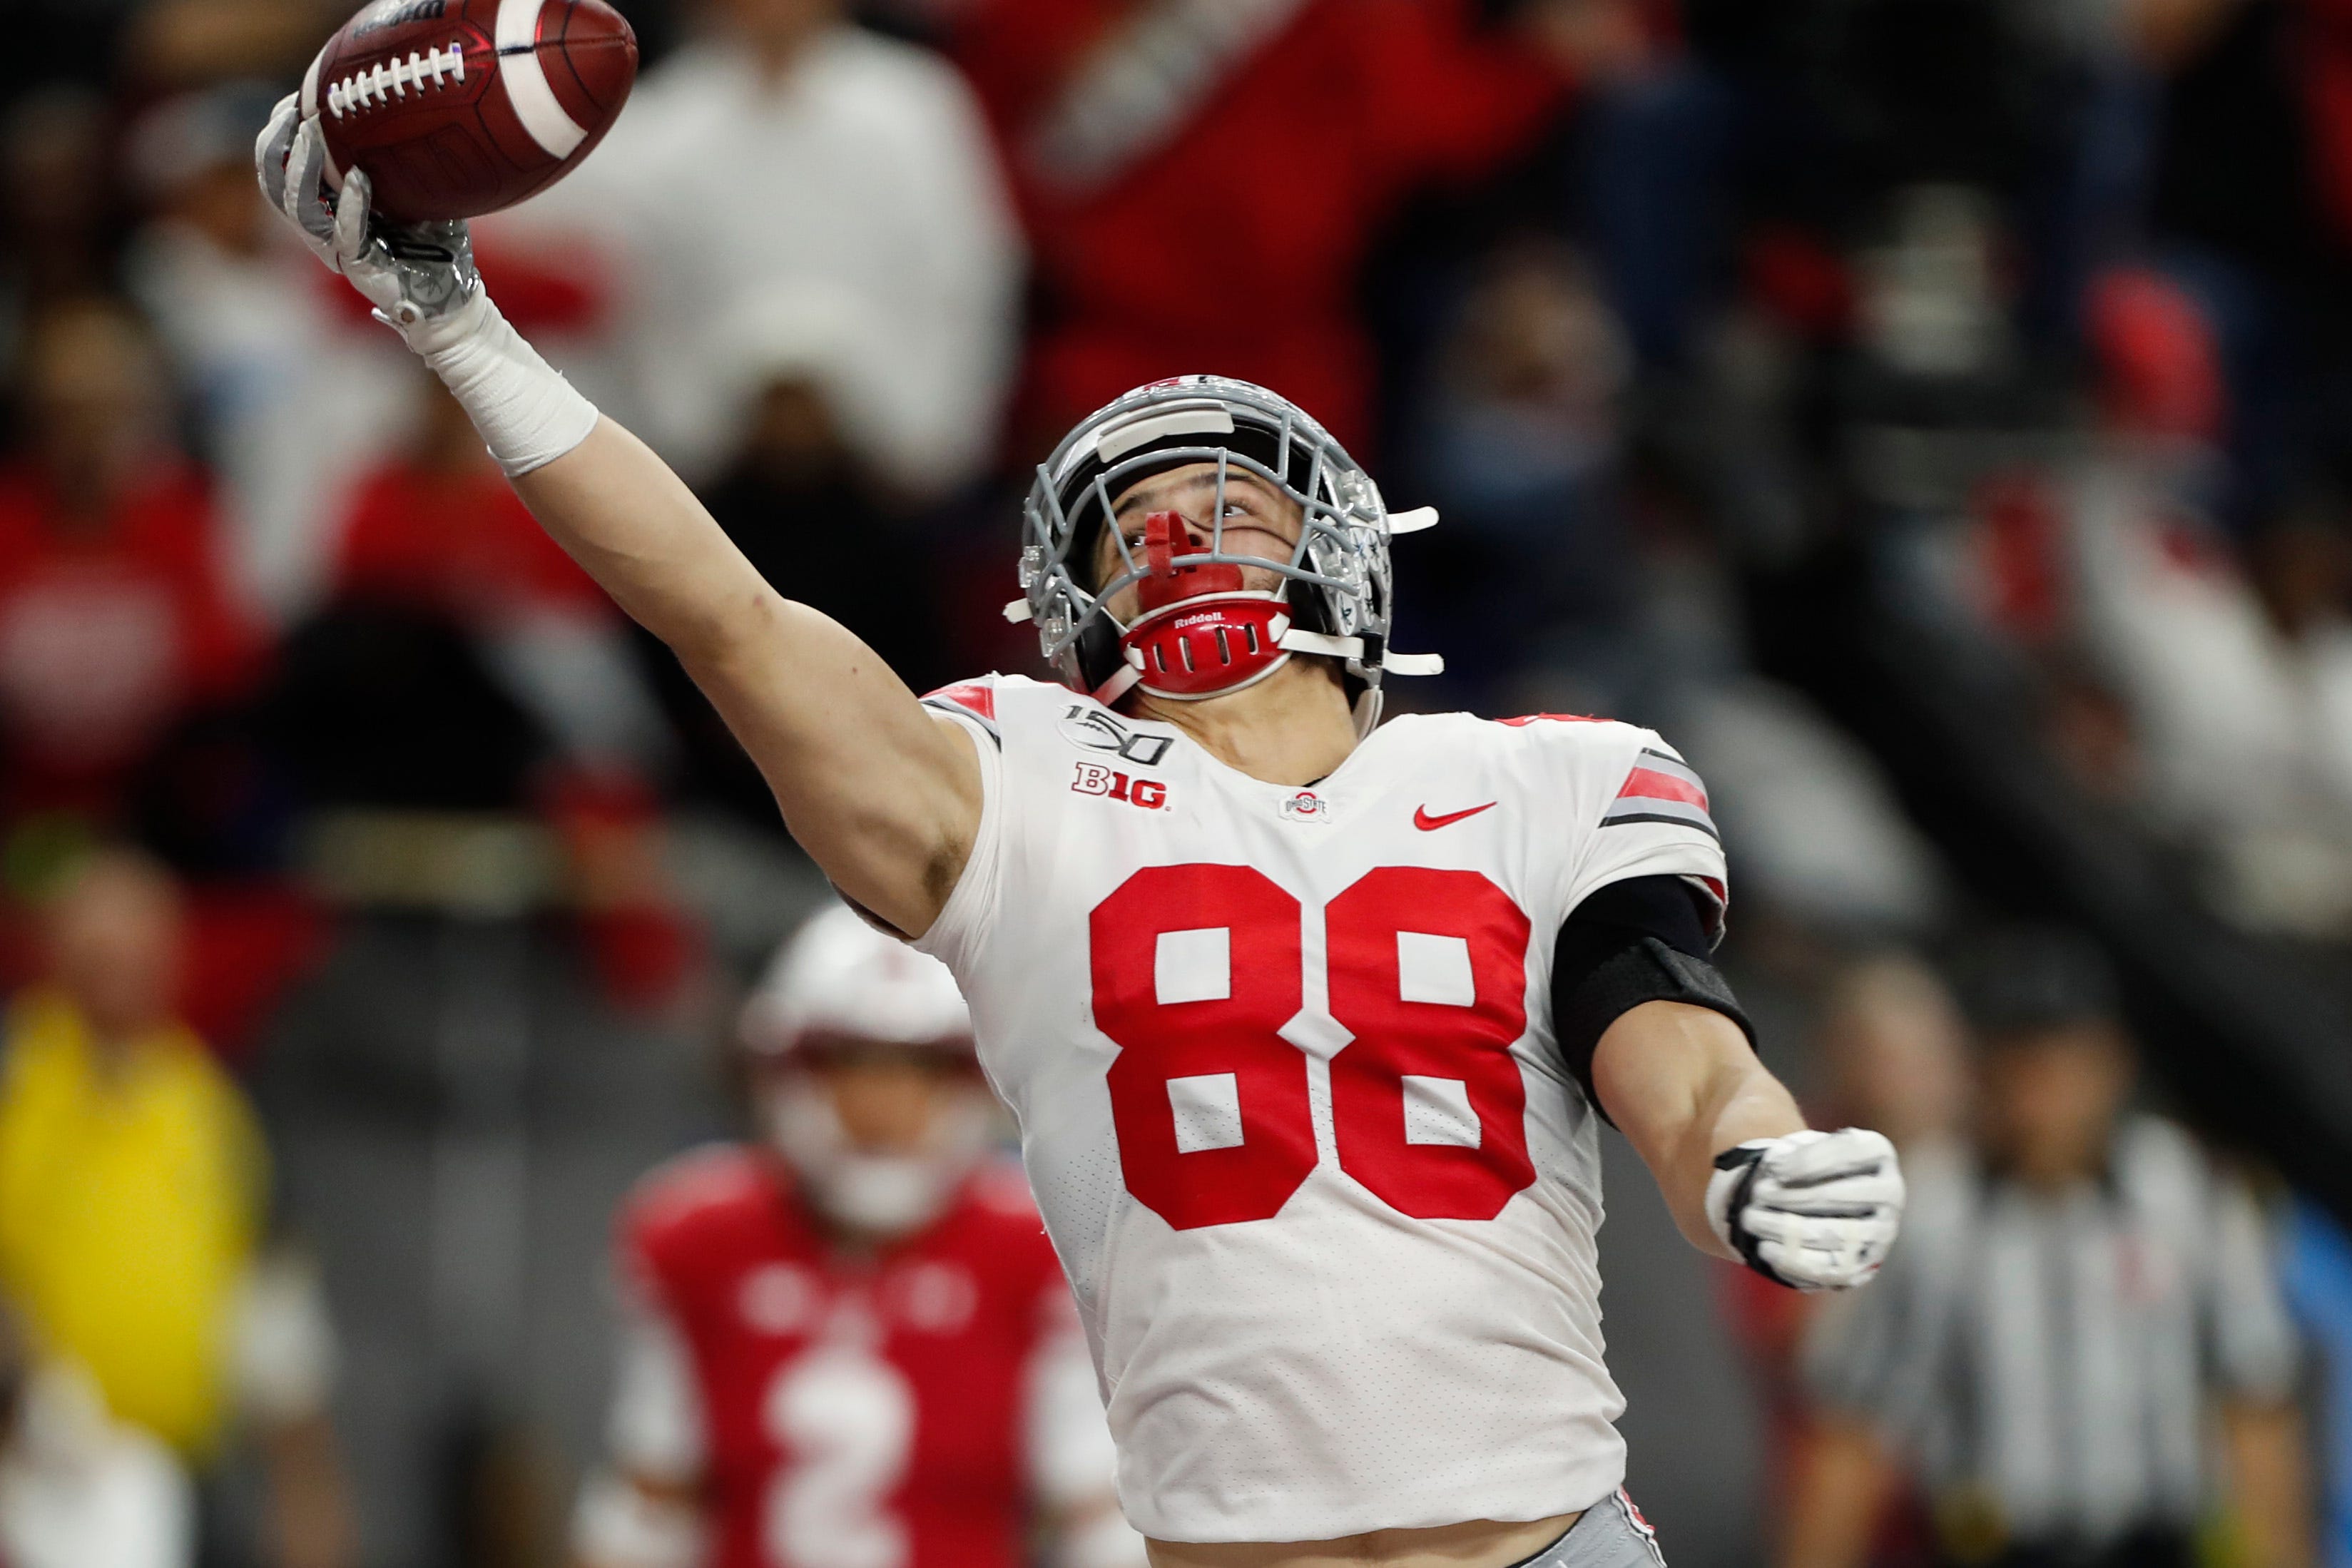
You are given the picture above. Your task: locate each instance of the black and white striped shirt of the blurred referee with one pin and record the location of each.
(2050, 1358)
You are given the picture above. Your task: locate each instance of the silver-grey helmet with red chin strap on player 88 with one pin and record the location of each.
(1198, 631)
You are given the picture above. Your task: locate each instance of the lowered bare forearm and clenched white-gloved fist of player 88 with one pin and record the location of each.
(1735, 1158)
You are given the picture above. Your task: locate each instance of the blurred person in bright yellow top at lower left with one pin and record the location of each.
(133, 1200)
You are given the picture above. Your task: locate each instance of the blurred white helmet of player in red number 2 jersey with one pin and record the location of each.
(836, 996)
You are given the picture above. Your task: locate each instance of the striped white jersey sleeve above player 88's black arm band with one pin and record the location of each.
(1645, 815)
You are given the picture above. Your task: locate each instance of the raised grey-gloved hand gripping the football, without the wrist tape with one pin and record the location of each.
(420, 276)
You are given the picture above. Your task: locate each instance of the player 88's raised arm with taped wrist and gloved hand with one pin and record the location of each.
(883, 793)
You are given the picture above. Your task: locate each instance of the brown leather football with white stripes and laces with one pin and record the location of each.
(465, 107)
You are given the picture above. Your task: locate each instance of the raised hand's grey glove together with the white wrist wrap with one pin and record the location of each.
(422, 281)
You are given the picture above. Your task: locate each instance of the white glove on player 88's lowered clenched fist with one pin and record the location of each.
(1815, 1212)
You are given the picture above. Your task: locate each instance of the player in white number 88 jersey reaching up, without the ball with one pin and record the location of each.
(1307, 1021)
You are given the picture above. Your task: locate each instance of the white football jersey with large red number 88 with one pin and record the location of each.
(1292, 1106)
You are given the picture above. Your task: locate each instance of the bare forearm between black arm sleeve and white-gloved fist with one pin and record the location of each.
(1685, 1087)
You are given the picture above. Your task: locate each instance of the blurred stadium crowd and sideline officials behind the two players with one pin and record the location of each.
(1932, 415)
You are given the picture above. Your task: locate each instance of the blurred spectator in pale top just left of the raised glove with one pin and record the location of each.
(293, 391)
